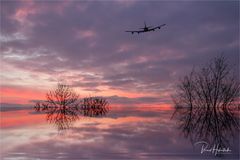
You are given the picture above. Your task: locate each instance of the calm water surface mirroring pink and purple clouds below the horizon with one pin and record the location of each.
(122, 133)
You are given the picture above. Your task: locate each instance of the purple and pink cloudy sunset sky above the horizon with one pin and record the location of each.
(84, 44)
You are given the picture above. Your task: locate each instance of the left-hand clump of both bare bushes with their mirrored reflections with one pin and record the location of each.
(63, 107)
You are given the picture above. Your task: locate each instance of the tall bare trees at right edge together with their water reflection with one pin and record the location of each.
(206, 103)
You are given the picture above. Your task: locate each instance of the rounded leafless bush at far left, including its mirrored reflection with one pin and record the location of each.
(62, 106)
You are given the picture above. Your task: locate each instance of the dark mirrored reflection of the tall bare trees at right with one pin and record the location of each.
(201, 124)
